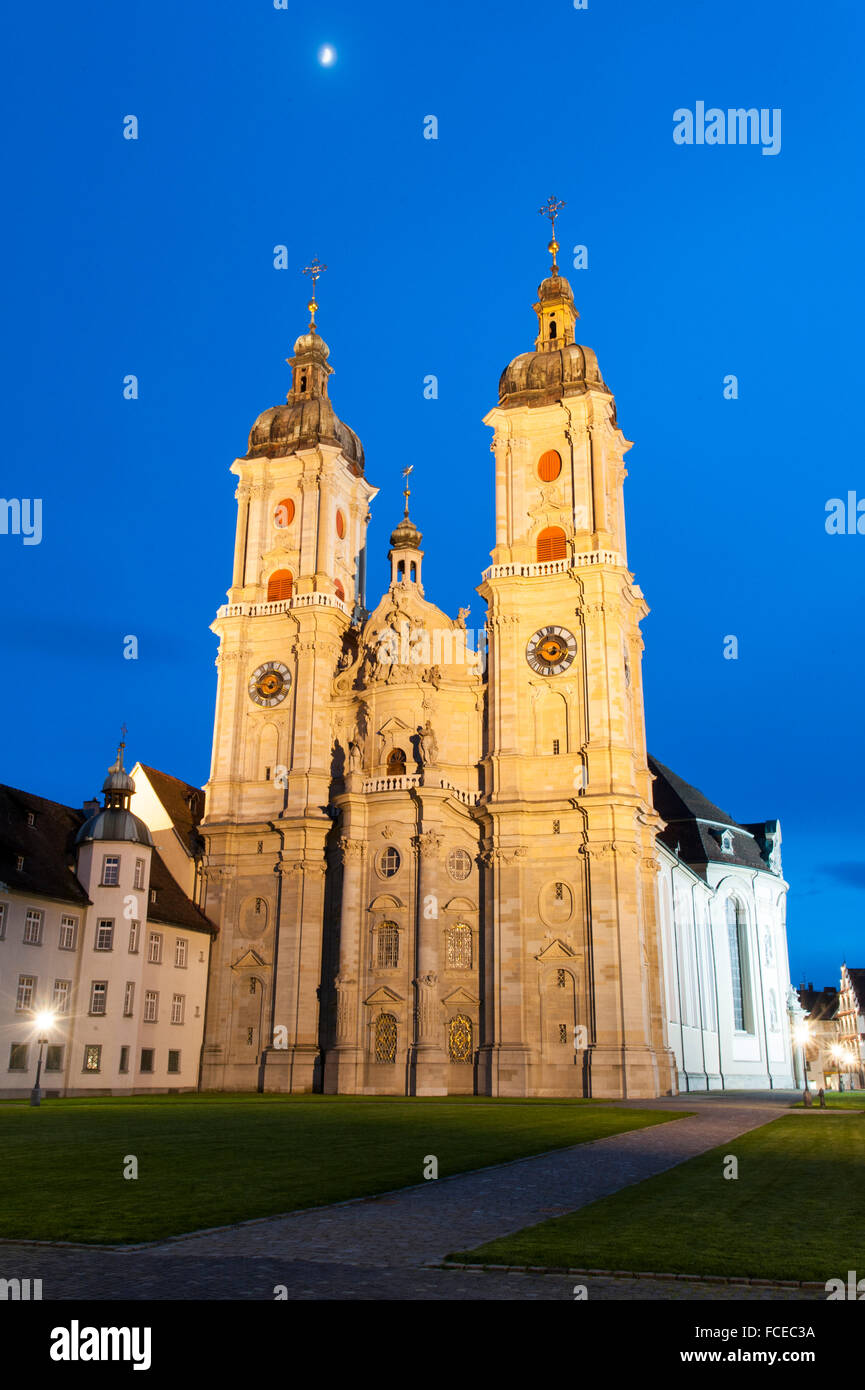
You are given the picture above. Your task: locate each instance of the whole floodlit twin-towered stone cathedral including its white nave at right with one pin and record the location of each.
(443, 865)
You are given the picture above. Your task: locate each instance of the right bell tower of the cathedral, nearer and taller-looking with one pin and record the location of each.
(574, 970)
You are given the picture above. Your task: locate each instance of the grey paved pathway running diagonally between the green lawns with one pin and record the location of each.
(379, 1248)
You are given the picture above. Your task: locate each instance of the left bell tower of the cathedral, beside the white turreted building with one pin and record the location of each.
(297, 596)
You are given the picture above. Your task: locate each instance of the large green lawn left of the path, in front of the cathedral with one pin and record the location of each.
(208, 1160)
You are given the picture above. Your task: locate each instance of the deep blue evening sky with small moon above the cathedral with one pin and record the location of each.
(156, 258)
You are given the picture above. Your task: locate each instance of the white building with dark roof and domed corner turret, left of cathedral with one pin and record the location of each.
(97, 932)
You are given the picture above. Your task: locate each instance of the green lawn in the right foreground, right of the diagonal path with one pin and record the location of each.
(796, 1211)
